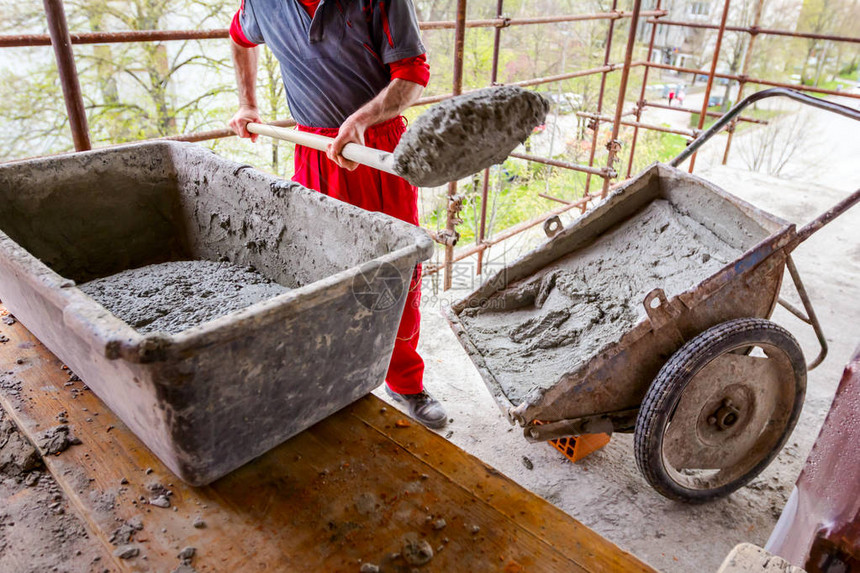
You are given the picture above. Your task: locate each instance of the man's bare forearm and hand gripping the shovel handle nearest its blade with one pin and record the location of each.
(397, 96)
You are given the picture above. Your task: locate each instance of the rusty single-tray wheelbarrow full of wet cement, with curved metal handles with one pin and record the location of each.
(687, 361)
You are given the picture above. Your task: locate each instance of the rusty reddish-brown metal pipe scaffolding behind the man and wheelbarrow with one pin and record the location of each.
(62, 41)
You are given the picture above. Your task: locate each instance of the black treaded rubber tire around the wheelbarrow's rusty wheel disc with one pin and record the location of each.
(665, 393)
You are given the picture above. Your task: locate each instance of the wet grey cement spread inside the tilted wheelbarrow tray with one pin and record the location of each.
(550, 324)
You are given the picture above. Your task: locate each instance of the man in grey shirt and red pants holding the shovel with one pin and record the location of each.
(350, 67)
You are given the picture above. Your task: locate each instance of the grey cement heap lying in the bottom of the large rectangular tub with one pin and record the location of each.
(174, 296)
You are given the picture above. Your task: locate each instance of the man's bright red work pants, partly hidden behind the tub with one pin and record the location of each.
(375, 191)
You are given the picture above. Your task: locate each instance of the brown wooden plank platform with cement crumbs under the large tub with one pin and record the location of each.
(352, 489)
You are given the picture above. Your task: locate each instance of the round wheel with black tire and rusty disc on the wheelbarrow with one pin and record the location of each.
(714, 418)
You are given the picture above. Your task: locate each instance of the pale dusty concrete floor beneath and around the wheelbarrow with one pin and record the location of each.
(605, 490)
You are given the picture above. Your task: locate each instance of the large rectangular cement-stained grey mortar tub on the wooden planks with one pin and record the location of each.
(215, 396)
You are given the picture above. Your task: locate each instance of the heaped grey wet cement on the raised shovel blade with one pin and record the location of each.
(463, 135)
